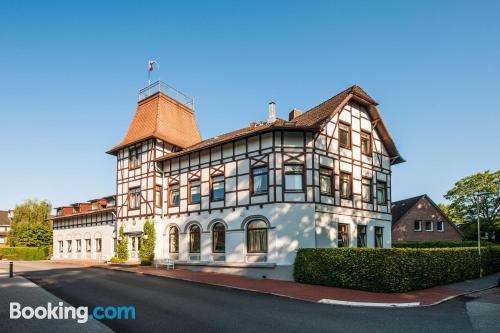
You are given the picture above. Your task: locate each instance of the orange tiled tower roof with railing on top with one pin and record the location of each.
(163, 117)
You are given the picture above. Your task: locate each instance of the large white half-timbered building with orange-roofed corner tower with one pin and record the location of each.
(246, 201)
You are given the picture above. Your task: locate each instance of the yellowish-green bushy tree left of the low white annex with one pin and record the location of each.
(30, 225)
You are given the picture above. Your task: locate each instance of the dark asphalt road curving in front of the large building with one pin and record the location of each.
(166, 305)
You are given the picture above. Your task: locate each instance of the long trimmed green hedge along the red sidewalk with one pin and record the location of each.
(392, 270)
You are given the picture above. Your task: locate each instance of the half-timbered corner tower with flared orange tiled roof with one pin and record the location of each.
(164, 122)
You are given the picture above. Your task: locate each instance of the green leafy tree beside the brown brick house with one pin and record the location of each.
(466, 203)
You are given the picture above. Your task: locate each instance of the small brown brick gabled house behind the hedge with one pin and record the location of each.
(420, 219)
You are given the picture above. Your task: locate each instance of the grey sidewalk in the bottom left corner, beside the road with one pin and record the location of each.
(18, 289)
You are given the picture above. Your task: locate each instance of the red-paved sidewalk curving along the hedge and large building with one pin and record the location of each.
(314, 293)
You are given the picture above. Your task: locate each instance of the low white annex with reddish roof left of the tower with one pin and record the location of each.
(85, 231)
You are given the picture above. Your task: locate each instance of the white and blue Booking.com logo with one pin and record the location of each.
(80, 314)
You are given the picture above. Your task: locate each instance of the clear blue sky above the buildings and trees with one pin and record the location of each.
(70, 73)
